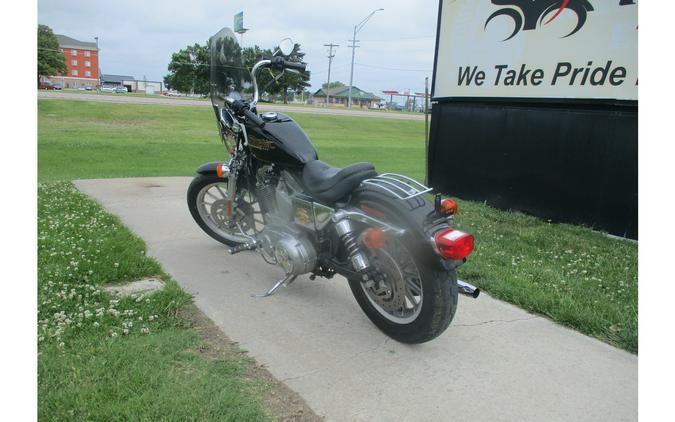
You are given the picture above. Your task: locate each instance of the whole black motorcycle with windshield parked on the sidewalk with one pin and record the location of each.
(382, 232)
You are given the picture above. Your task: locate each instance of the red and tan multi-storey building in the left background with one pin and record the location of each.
(82, 60)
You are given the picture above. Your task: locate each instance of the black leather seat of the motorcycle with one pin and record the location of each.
(330, 184)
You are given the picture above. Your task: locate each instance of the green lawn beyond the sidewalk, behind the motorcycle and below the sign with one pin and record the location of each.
(575, 276)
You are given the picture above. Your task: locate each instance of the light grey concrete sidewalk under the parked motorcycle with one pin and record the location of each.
(495, 362)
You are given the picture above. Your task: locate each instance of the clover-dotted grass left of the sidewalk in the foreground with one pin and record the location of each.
(106, 358)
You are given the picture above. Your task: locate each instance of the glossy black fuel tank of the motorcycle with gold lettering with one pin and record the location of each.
(280, 141)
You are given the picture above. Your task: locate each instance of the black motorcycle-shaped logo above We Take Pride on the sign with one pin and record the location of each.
(529, 14)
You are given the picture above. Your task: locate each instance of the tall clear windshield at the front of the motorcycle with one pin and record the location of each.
(229, 76)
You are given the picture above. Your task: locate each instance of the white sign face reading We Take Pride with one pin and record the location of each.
(573, 49)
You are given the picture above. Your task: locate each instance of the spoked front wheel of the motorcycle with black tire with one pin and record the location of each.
(207, 199)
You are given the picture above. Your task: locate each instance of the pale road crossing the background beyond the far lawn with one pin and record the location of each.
(132, 99)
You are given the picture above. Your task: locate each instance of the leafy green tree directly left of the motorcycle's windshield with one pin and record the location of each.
(189, 70)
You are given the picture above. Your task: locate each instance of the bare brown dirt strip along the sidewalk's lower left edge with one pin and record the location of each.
(282, 402)
